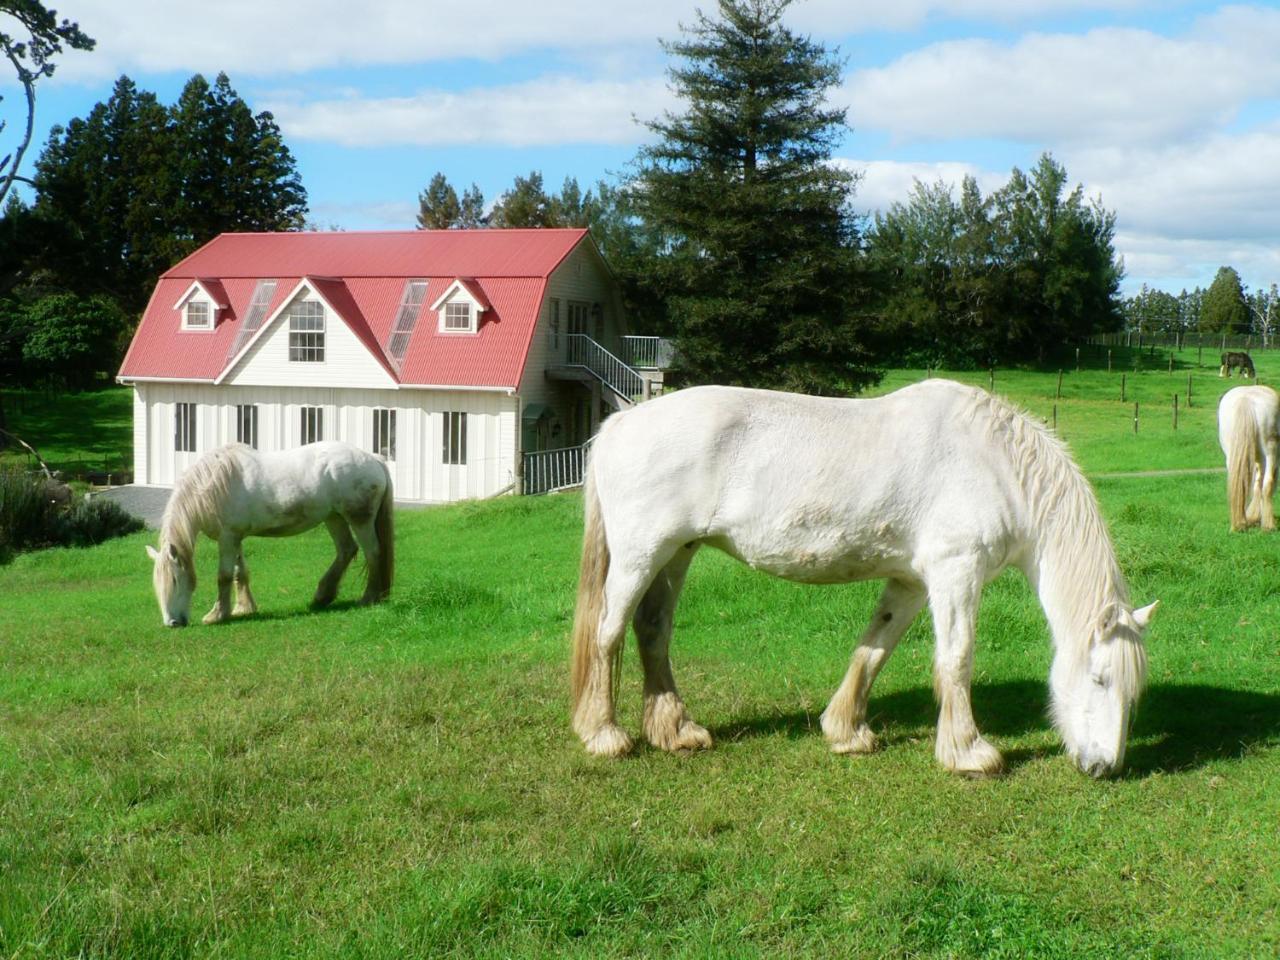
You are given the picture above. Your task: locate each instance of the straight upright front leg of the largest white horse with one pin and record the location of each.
(954, 595)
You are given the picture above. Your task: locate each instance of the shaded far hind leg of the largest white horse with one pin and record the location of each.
(668, 724)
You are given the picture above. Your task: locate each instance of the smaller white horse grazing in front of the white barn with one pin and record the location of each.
(234, 492)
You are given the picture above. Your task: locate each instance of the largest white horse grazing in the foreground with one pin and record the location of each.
(938, 488)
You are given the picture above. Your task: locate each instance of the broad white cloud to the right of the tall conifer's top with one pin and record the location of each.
(1100, 88)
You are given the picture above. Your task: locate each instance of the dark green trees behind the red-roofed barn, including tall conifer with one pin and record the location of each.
(734, 231)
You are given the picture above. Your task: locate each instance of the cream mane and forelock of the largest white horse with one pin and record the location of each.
(1073, 548)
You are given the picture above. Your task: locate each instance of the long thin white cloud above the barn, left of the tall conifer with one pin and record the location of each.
(548, 112)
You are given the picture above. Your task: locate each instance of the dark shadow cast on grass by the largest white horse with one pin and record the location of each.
(1178, 728)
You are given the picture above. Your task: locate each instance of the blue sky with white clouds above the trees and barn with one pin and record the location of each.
(1169, 112)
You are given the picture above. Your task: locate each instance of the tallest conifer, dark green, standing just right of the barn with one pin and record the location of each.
(752, 218)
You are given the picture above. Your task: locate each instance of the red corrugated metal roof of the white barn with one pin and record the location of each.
(363, 277)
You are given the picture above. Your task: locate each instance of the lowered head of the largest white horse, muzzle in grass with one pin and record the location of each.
(1095, 691)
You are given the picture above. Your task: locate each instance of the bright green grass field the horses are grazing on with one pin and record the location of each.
(403, 781)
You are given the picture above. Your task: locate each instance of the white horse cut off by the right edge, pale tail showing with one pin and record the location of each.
(1249, 431)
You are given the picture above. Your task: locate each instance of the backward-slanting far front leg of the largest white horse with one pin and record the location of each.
(844, 723)
